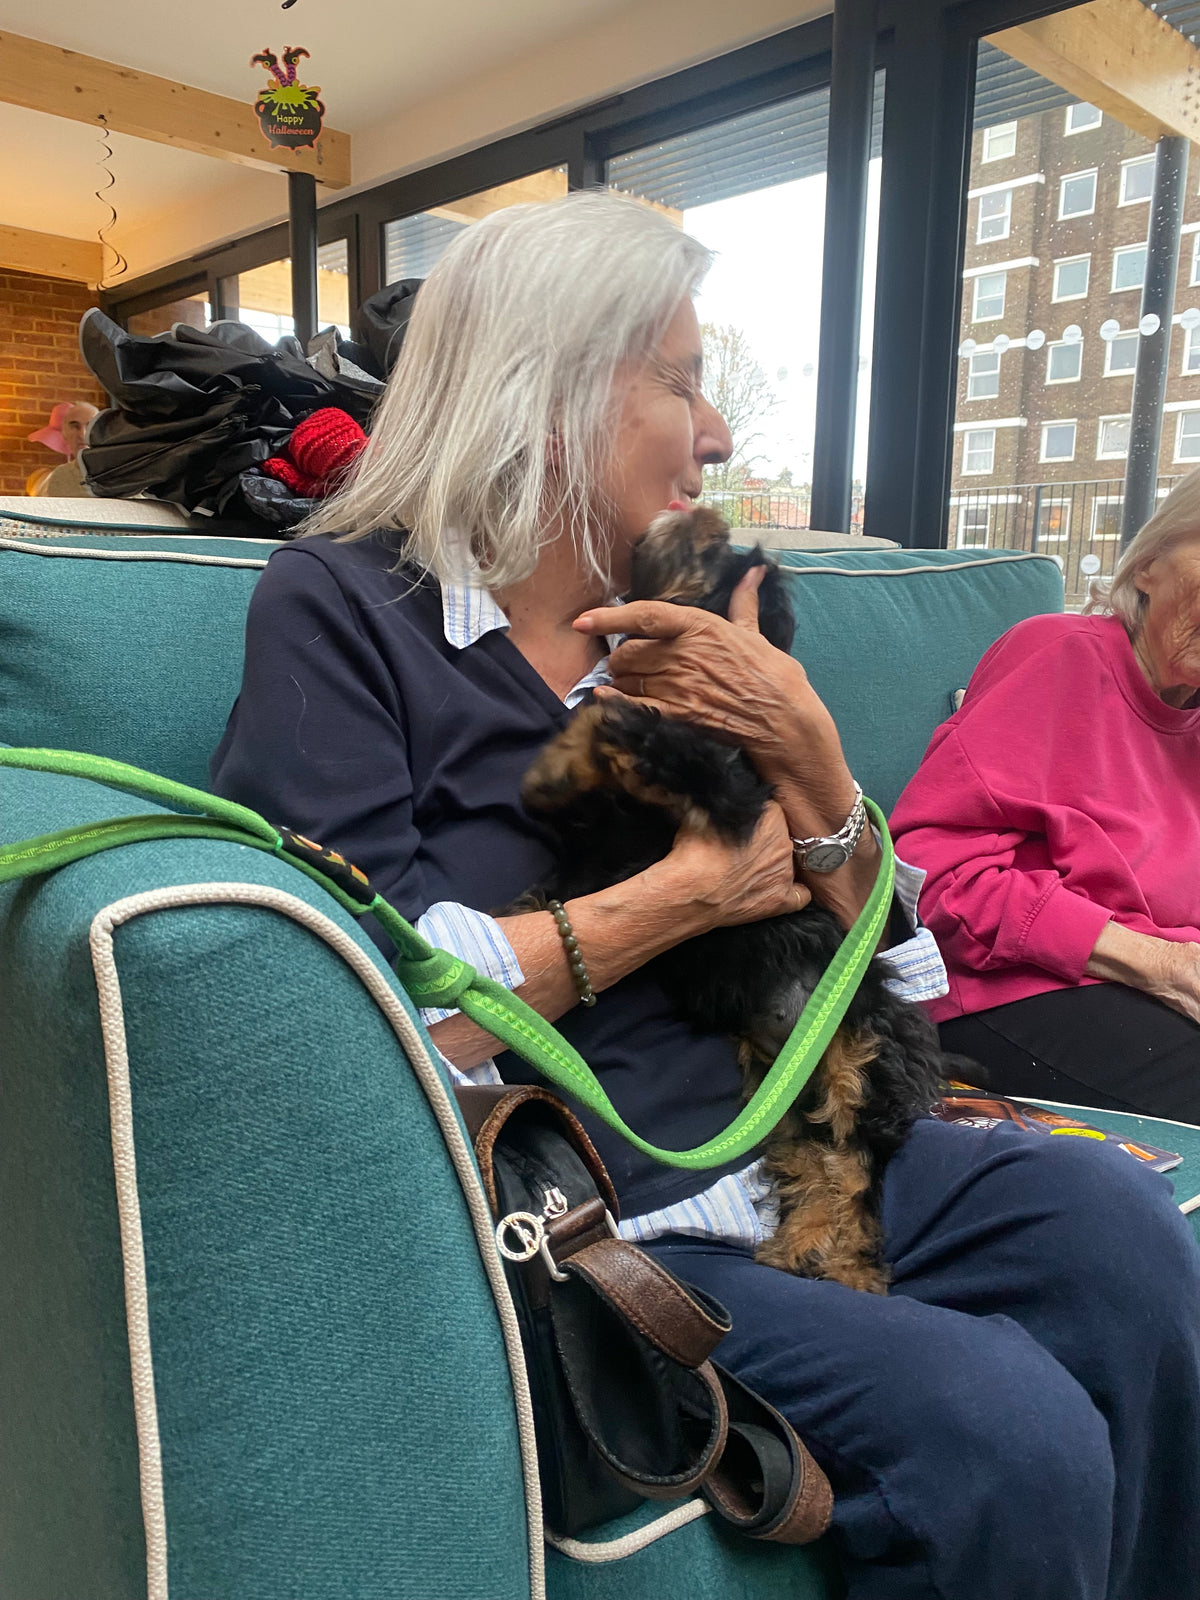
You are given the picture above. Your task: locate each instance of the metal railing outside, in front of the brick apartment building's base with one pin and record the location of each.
(1066, 521)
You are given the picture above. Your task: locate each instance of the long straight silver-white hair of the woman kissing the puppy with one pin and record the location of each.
(498, 418)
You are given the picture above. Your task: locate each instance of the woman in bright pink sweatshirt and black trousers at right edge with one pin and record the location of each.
(1057, 817)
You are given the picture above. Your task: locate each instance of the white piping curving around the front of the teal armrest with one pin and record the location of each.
(126, 1170)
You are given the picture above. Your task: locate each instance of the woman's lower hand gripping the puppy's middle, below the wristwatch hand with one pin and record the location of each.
(719, 886)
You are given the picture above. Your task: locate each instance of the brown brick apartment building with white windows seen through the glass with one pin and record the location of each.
(1058, 214)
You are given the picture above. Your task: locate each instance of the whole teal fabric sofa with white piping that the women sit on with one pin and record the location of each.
(255, 1338)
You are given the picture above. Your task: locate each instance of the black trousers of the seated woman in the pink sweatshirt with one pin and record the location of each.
(1098, 1046)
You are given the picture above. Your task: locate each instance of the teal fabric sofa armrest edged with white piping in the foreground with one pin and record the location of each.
(332, 1386)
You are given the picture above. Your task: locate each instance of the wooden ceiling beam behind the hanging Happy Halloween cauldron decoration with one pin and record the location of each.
(65, 84)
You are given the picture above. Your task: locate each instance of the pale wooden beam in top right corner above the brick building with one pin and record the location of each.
(1119, 57)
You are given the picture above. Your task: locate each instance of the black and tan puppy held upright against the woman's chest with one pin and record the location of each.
(612, 793)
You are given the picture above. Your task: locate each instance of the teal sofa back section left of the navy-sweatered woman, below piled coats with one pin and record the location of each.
(127, 647)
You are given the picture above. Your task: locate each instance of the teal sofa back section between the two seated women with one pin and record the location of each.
(889, 636)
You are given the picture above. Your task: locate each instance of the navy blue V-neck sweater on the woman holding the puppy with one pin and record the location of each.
(361, 726)
